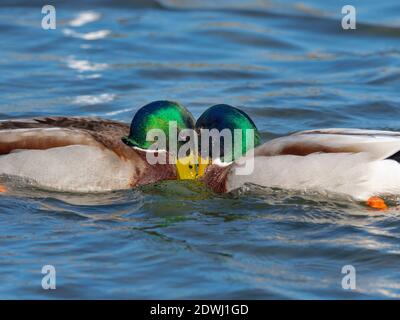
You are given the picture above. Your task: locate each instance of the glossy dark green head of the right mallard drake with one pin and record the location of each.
(223, 116)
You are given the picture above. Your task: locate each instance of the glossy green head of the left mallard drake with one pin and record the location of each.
(157, 115)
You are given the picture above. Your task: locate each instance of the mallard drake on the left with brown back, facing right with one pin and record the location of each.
(88, 154)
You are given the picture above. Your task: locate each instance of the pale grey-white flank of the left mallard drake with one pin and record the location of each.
(76, 168)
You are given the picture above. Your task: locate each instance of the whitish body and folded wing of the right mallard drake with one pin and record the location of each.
(358, 168)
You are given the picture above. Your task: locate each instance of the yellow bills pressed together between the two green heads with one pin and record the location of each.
(191, 167)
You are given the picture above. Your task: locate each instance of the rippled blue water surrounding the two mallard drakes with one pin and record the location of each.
(289, 64)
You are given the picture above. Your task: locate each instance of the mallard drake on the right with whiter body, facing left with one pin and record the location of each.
(353, 162)
